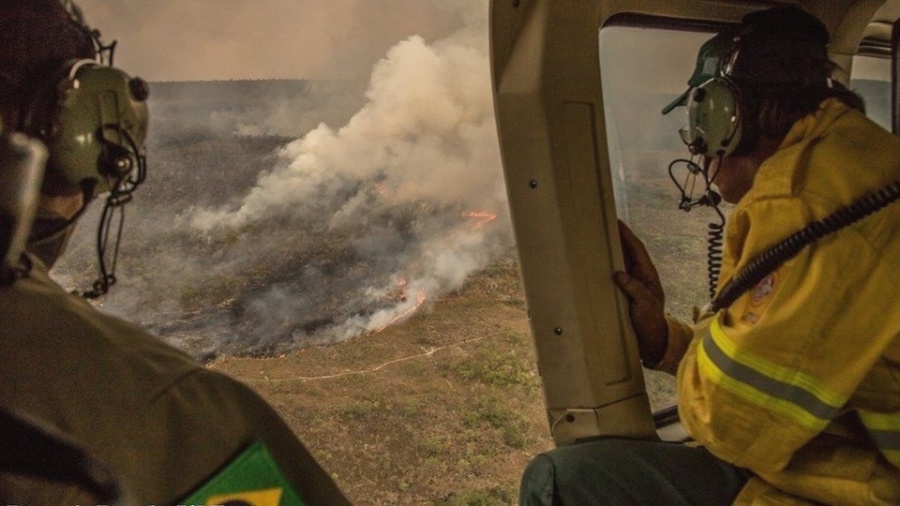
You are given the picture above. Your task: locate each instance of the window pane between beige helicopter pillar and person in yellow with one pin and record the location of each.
(642, 71)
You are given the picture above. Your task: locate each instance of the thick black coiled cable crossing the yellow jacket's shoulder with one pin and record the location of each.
(769, 260)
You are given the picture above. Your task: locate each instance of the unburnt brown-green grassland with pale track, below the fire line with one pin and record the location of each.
(444, 409)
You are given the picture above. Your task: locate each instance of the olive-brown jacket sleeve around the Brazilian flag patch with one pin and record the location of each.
(206, 418)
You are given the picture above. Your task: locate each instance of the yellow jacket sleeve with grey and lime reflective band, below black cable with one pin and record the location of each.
(763, 377)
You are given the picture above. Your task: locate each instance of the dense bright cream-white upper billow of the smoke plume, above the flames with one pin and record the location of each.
(427, 132)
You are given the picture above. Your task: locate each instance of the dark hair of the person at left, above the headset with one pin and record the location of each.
(36, 36)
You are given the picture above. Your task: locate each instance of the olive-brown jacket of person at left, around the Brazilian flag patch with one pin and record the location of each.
(160, 421)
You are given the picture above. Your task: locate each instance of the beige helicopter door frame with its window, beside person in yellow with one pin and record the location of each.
(579, 86)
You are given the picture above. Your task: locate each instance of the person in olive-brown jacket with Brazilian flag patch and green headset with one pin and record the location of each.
(81, 389)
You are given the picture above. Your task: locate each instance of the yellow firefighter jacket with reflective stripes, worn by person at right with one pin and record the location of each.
(799, 379)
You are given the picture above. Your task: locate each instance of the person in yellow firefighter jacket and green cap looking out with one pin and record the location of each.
(790, 379)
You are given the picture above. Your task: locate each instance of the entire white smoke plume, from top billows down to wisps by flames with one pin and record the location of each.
(413, 180)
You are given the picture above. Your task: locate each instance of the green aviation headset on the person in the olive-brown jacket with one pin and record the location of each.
(92, 117)
